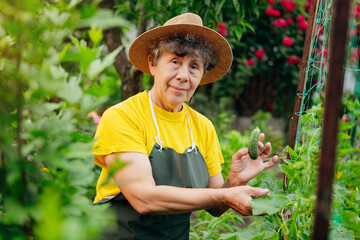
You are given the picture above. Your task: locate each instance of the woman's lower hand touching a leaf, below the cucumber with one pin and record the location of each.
(238, 198)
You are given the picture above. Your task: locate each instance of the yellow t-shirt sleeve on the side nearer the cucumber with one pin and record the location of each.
(213, 155)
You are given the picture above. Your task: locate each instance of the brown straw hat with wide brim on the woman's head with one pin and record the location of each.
(185, 23)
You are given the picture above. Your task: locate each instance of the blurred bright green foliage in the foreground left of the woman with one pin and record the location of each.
(54, 70)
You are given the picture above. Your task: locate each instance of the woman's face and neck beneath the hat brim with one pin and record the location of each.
(175, 79)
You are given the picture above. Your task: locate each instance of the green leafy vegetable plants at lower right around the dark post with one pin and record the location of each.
(290, 213)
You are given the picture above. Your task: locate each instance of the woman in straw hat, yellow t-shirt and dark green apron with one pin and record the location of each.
(172, 153)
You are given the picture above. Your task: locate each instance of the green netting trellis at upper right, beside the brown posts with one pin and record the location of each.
(317, 65)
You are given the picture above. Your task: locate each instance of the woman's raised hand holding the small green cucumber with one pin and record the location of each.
(243, 168)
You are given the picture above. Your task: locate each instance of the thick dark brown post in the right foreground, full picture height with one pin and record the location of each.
(334, 88)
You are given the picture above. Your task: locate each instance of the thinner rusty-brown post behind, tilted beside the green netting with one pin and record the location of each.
(302, 75)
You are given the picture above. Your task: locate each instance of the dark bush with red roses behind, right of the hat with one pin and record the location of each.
(268, 58)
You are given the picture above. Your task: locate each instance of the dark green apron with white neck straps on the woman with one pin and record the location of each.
(169, 168)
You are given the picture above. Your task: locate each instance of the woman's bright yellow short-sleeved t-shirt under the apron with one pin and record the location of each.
(129, 127)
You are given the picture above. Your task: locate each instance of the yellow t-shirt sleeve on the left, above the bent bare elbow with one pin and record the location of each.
(118, 131)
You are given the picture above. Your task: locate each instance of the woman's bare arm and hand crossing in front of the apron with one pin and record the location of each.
(138, 186)
